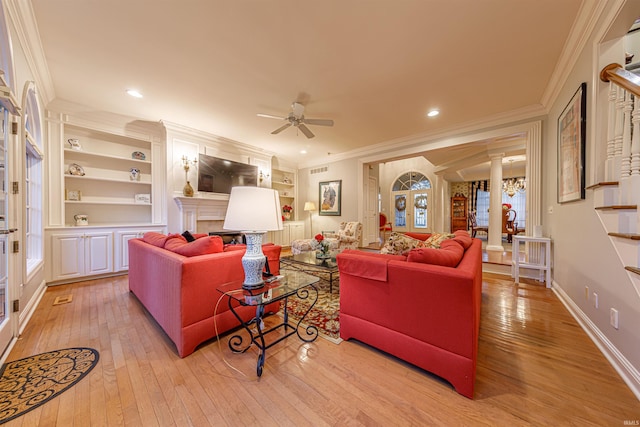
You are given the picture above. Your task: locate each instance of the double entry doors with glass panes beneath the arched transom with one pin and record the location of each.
(411, 210)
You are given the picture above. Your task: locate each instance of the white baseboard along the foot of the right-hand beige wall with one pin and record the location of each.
(629, 374)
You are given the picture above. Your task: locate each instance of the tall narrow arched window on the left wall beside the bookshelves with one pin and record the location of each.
(33, 180)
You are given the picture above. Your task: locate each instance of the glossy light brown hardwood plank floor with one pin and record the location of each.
(536, 367)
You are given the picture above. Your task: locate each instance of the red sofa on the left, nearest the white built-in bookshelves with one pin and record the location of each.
(180, 291)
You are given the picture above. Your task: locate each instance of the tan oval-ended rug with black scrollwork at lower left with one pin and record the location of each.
(27, 383)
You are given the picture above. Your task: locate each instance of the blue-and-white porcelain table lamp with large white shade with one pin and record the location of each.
(254, 211)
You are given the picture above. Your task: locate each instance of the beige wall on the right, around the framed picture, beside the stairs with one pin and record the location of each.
(582, 252)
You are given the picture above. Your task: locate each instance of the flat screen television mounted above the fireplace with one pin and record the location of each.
(219, 175)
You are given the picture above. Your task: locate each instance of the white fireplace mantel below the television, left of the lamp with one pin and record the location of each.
(193, 209)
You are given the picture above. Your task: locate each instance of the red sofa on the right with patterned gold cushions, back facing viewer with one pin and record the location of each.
(425, 314)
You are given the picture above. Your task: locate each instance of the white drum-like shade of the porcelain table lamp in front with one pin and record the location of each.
(253, 209)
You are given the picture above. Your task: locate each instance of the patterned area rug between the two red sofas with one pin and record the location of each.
(325, 314)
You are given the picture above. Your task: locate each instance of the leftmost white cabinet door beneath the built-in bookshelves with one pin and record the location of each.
(68, 255)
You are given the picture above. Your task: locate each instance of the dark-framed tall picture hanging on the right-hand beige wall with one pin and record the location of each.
(572, 127)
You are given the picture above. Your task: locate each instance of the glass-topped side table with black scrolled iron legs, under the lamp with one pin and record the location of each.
(293, 283)
